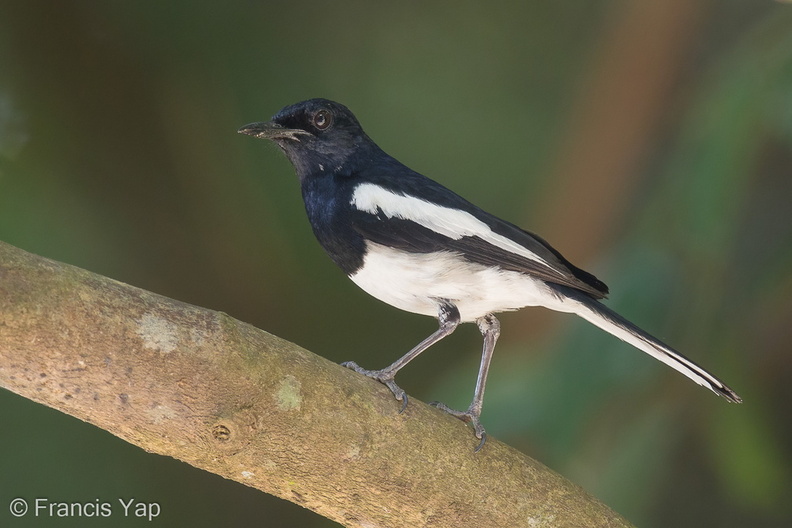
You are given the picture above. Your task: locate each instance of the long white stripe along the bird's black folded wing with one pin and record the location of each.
(452, 223)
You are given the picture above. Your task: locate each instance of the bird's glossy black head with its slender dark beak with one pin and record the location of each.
(318, 136)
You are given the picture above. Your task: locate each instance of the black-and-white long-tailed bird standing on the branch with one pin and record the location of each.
(411, 242)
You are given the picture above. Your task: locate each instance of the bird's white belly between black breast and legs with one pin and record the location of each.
(420, 282)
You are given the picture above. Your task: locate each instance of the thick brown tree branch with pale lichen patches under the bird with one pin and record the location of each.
(228, 398)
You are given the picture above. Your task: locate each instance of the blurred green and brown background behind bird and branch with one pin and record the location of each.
(651, 142)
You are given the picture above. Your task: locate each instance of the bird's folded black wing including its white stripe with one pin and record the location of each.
(402, 221)
